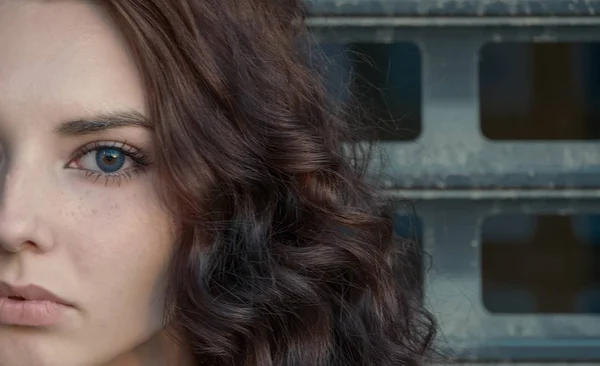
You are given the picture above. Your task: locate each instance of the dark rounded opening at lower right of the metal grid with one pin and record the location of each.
(541, 264)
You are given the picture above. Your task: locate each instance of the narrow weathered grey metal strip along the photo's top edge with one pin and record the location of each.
(455, 7)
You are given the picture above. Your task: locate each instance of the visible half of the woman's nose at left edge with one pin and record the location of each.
(22, 207)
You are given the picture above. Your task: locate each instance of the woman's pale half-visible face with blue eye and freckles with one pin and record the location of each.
(79, 213)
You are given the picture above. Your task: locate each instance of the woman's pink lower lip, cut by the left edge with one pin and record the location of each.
(30, 313)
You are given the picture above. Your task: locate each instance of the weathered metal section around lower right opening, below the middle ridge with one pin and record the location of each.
(452, 236)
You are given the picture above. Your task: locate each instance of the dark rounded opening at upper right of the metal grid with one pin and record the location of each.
(540, 91)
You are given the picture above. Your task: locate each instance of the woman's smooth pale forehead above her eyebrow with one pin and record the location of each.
(61, 54)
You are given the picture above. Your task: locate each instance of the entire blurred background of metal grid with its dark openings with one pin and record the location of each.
(488, 114)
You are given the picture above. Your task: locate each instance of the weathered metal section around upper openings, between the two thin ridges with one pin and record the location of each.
(451, 151)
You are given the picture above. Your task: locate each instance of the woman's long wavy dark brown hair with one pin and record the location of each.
(285, 253)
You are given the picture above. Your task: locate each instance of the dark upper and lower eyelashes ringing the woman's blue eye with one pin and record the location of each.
(140, 160)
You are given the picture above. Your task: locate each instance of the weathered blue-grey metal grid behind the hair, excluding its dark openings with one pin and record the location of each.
(457, 177)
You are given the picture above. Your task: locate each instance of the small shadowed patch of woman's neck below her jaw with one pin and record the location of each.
(160, 350)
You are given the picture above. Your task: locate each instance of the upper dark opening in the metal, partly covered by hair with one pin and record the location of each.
(385, 80)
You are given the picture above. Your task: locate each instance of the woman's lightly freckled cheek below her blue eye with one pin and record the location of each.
(124, 247)
